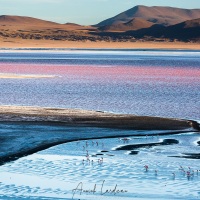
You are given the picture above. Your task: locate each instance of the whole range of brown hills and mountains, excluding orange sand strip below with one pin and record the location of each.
(147, 24)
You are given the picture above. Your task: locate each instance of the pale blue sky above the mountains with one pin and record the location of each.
(82, 11)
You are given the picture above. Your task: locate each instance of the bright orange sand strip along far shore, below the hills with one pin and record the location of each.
(20, 43)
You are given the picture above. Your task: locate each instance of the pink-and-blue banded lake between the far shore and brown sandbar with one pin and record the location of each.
(157, 83)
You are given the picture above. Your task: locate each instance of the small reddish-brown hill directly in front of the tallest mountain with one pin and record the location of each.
(133, 24)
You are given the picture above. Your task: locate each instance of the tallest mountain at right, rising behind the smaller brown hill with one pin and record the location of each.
(160, 15)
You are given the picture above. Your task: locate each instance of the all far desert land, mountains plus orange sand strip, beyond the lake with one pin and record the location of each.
(138, 27)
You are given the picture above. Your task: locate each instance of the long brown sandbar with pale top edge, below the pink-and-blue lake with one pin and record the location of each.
(91, 118)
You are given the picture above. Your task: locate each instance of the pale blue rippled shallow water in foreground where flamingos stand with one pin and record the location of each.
(57, 171)
